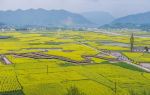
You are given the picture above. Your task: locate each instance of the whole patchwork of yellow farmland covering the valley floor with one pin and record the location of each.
(97, 63)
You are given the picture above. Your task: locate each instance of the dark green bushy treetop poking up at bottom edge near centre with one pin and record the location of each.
(74, 91)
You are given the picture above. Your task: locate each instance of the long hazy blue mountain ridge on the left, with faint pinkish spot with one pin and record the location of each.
(42, 17)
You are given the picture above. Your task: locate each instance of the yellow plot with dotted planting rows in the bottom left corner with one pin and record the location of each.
(9, 83)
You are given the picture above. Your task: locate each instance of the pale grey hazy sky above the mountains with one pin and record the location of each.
(115, 7)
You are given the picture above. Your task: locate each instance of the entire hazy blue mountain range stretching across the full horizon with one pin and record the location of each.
(63, 18)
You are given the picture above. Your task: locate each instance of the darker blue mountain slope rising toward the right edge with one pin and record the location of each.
(136, 21)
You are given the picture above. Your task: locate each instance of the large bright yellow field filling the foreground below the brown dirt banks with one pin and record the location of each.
(33, 74)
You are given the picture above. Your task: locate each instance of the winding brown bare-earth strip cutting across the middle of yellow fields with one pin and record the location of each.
(41, 55)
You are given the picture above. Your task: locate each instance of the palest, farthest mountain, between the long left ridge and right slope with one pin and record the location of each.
(99, 18)
